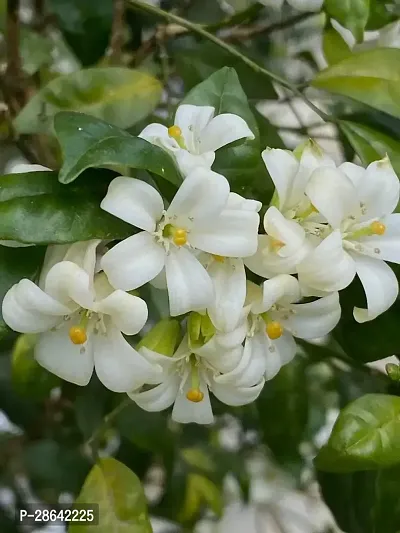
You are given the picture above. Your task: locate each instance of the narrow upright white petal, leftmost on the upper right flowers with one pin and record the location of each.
(282, 166)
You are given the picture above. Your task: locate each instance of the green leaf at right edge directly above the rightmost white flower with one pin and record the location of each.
(371, 145)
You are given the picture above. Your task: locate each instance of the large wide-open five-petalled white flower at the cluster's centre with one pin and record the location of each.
(202, 216)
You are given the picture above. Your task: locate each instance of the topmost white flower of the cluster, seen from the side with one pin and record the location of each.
(196, 135)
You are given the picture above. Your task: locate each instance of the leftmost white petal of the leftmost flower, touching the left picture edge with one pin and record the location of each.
(27, 309)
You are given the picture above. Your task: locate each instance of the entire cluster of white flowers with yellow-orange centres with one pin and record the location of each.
(325, 225)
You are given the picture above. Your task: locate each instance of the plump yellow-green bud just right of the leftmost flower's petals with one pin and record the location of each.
(162, 338)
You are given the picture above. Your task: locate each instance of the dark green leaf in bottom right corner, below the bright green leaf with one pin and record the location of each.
(363, 502)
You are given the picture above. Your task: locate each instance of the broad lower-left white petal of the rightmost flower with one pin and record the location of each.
(328, 267)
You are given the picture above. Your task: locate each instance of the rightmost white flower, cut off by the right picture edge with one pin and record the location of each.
(358, 205)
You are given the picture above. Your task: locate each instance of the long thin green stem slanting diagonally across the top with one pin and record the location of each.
(199, 30)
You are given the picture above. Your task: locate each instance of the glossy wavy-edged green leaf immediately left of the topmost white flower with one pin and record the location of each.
(89, 142)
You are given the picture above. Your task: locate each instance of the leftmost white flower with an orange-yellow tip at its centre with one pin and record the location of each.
(79, 321)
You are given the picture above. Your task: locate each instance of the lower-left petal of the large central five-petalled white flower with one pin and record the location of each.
(134, 261)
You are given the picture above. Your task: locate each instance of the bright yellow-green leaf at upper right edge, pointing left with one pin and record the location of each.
(371, 77)
